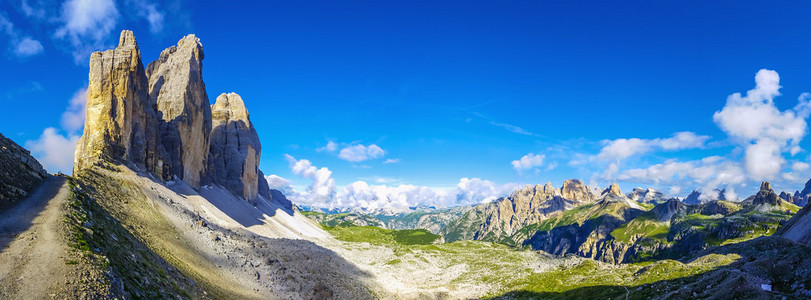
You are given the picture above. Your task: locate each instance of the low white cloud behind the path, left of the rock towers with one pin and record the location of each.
(54, 151)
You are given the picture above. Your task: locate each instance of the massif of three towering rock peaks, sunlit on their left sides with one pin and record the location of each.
(159, 119)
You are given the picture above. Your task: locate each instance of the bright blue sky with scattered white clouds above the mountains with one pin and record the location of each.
(454, 90)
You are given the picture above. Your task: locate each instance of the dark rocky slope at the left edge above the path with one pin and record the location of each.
(19, 172)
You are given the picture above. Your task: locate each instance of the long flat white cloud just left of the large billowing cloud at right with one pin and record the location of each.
(619, 149)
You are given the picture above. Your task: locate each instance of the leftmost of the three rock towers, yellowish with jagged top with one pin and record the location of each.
(120, 123)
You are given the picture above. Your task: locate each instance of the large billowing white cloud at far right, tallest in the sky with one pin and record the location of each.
(755, 123)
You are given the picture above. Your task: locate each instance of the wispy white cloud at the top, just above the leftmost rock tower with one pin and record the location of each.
(86, 24)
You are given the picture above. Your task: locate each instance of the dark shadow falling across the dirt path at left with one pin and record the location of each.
(19, 218)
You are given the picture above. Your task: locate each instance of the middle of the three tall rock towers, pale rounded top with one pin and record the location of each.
(176, 86)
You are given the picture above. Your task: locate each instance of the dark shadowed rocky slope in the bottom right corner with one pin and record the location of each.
(783, 265)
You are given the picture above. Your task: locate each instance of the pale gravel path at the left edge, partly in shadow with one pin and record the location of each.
(32, 245)
